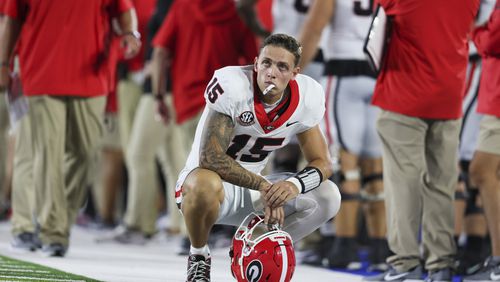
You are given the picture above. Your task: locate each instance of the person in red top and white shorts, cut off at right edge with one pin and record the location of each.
(485, 165)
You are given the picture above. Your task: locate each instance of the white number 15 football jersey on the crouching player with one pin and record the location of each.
(231, 92)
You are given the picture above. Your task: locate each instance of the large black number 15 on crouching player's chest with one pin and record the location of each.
(257, 150)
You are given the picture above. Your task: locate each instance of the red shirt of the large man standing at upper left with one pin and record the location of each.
(63, 48)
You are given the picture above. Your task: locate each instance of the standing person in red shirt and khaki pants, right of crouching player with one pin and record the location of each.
(419, 90)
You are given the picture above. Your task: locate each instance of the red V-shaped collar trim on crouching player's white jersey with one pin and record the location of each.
(264, 121)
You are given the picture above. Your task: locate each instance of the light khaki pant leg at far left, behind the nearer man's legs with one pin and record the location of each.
(23, 193)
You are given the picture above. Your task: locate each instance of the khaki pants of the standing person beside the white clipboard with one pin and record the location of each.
(420, 175)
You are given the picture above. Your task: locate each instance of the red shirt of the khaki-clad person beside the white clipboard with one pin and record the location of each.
(426, 61)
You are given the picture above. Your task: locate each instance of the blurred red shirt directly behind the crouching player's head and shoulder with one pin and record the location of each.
(202, 36)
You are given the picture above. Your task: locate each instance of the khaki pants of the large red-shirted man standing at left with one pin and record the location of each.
(66, 132)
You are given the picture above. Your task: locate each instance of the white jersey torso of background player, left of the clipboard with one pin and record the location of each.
(348, 29)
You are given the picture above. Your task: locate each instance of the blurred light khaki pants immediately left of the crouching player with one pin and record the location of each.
(150, 139)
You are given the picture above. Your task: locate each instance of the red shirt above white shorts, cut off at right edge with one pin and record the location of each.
(487, 40)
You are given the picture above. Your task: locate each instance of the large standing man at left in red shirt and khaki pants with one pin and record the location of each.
(63, 61)
